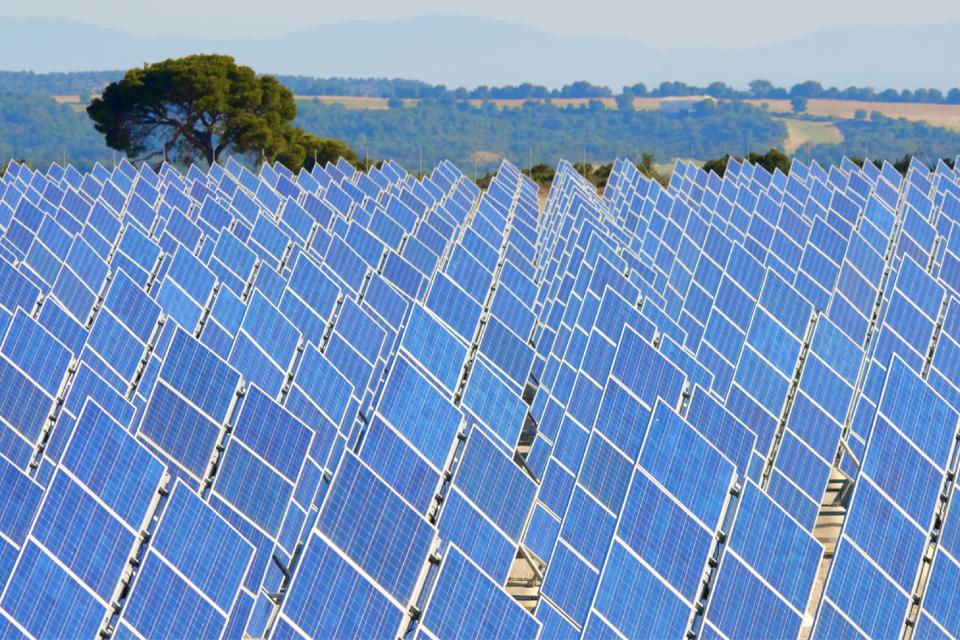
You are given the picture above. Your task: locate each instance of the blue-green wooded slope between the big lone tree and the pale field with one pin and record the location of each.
(538, 132)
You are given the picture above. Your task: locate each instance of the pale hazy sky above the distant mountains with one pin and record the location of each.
(722, 23)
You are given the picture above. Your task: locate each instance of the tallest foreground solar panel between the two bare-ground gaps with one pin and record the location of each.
(671, 496)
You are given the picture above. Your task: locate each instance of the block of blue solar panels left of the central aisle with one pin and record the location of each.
(234, 414)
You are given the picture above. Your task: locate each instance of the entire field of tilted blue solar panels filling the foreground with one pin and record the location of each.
(345, 404)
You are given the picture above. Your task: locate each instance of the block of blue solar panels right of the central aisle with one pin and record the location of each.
(795, 323)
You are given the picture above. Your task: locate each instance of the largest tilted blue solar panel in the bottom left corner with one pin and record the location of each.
(103, 493)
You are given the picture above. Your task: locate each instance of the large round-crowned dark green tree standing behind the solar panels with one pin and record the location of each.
(199, 106)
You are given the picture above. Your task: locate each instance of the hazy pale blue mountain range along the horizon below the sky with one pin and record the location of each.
(465, 51)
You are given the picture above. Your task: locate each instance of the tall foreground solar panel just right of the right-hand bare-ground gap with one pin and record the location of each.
(891, 511)
